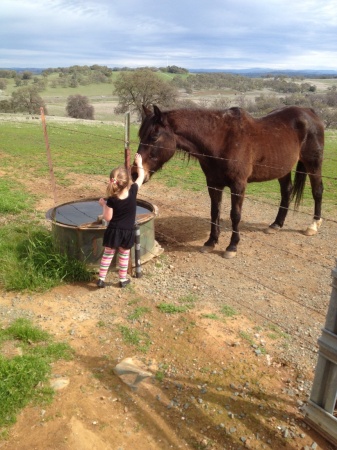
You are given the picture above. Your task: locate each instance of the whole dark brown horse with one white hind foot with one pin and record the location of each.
(234, 149)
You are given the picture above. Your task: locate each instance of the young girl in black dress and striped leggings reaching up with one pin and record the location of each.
(120, 210)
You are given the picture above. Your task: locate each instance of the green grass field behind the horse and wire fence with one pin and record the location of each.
(86, 149)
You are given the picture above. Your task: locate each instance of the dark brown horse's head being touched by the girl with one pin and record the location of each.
(157, 142)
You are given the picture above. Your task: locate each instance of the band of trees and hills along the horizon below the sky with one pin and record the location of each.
(145, 86)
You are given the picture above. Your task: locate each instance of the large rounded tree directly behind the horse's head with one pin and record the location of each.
(142, 87)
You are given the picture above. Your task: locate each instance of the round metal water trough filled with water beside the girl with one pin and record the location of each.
(78, 230)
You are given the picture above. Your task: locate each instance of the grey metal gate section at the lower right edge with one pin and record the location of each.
(320, 413)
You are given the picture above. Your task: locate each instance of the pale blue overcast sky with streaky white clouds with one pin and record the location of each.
(216, 34)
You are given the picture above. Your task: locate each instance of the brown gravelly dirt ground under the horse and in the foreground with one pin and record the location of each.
(213, 381)
